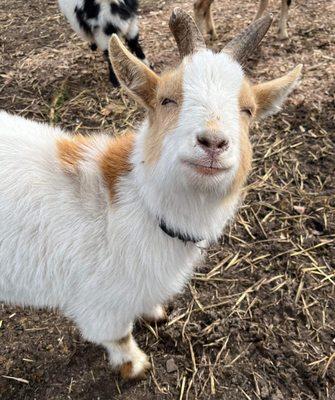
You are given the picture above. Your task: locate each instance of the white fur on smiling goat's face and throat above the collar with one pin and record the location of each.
(211, 88)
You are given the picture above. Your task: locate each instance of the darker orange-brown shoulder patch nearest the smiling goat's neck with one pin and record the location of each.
(115, 160)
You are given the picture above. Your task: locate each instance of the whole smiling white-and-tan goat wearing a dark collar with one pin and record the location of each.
(107, 229)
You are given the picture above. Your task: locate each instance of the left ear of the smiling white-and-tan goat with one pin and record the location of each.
(135, 76)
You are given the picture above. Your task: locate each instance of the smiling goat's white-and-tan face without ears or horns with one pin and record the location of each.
(198, 129)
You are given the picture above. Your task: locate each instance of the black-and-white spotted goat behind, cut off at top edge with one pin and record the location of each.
(96, 20)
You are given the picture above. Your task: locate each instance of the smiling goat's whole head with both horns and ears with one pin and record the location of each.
(199, 113)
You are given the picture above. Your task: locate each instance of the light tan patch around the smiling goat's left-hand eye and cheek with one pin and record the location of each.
(164, 118)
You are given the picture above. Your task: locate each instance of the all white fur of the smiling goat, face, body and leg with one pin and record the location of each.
(64, 244)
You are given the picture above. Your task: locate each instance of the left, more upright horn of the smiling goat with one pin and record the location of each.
(187, 35)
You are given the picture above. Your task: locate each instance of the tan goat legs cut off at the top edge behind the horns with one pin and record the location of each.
(204, 18)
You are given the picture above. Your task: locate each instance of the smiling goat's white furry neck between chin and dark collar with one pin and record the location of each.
(183, 208)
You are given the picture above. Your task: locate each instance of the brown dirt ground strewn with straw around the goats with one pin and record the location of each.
(258, 319)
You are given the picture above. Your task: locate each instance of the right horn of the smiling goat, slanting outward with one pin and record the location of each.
(246, 42)
